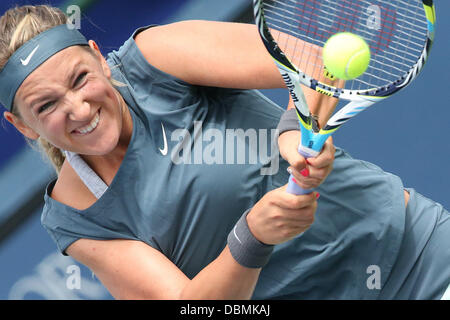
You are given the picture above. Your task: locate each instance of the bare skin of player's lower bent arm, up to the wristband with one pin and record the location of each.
(133, 270)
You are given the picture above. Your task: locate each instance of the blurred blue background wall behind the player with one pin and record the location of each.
(405, 135)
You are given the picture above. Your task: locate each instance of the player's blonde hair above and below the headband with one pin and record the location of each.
(17, 26)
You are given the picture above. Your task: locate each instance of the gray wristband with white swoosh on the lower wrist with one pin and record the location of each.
(245, 248)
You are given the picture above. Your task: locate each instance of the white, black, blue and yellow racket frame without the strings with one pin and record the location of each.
(359, 100)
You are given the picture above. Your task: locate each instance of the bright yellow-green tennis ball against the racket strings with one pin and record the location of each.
(346, 55)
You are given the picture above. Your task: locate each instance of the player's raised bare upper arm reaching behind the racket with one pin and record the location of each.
(209, 53)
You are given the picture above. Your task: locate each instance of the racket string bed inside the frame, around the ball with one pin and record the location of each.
(395, 31)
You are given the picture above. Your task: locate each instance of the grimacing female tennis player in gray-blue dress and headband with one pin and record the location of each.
(153, 227)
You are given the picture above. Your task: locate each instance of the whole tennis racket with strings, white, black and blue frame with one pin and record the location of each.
(399, 33)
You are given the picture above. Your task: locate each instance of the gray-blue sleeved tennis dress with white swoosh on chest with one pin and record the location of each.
(186, 179)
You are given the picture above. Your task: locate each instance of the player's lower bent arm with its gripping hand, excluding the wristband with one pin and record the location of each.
(133, 270)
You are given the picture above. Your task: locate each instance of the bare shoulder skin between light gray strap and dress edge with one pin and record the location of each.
(70, 190)
